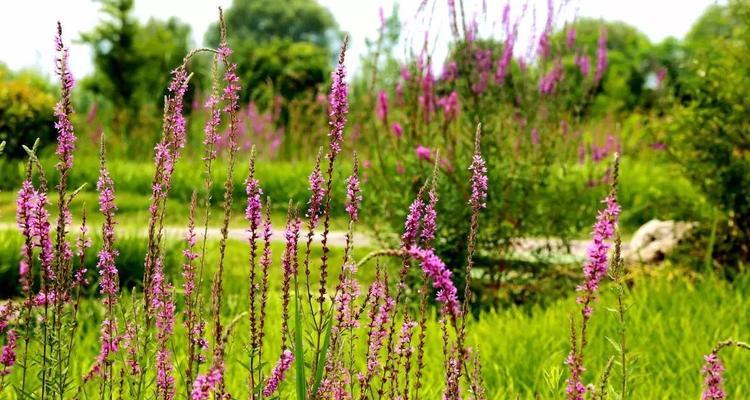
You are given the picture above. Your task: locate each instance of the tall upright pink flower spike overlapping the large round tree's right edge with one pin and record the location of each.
(339, 104)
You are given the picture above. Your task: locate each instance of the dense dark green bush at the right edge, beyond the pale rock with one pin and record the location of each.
(708, 130)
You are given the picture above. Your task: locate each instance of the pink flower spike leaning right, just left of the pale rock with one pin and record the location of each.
(595, 267)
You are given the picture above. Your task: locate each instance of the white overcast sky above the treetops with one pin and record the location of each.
(27, 26)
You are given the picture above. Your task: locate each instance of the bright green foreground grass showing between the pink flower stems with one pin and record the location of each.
(674, 320)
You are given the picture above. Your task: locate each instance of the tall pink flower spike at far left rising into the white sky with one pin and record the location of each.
(65, 136)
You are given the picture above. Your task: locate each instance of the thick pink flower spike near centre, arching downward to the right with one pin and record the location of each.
(434, 269)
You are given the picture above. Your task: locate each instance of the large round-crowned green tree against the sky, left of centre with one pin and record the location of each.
(284, 47)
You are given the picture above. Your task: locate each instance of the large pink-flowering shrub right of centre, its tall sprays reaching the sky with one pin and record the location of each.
(532, 103)
